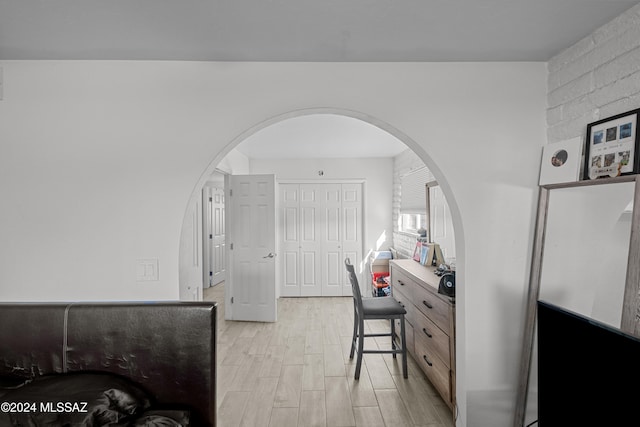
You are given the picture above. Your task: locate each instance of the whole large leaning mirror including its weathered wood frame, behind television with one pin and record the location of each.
(580, 262)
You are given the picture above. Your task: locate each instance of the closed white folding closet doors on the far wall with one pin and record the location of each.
(321, 224)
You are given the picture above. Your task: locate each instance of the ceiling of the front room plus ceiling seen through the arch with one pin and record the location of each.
(301, 30)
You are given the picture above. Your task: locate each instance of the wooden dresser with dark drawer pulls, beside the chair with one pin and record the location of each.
(430, 323)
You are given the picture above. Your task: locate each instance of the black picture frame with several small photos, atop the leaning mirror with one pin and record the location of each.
(612, 146)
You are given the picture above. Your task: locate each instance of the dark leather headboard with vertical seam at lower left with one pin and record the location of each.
(168, 348)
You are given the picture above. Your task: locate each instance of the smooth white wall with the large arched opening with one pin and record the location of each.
(102, 163)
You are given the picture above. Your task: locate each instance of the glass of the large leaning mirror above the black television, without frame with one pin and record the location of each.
(586, 249)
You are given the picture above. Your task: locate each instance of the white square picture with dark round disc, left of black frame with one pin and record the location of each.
(561, 162)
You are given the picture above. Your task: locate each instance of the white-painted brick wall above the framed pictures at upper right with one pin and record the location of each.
(596, 78)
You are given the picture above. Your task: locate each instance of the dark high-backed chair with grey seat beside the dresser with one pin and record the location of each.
(375, 308)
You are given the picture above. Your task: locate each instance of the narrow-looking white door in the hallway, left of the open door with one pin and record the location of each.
(215, 249)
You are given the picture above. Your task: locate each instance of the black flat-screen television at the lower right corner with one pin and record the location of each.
(588, 372)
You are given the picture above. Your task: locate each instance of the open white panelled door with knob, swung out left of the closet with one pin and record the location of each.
(251, 239)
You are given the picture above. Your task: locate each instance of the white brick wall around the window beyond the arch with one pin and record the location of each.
(402, 164)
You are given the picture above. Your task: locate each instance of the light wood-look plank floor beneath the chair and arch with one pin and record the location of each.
(297, 372)
